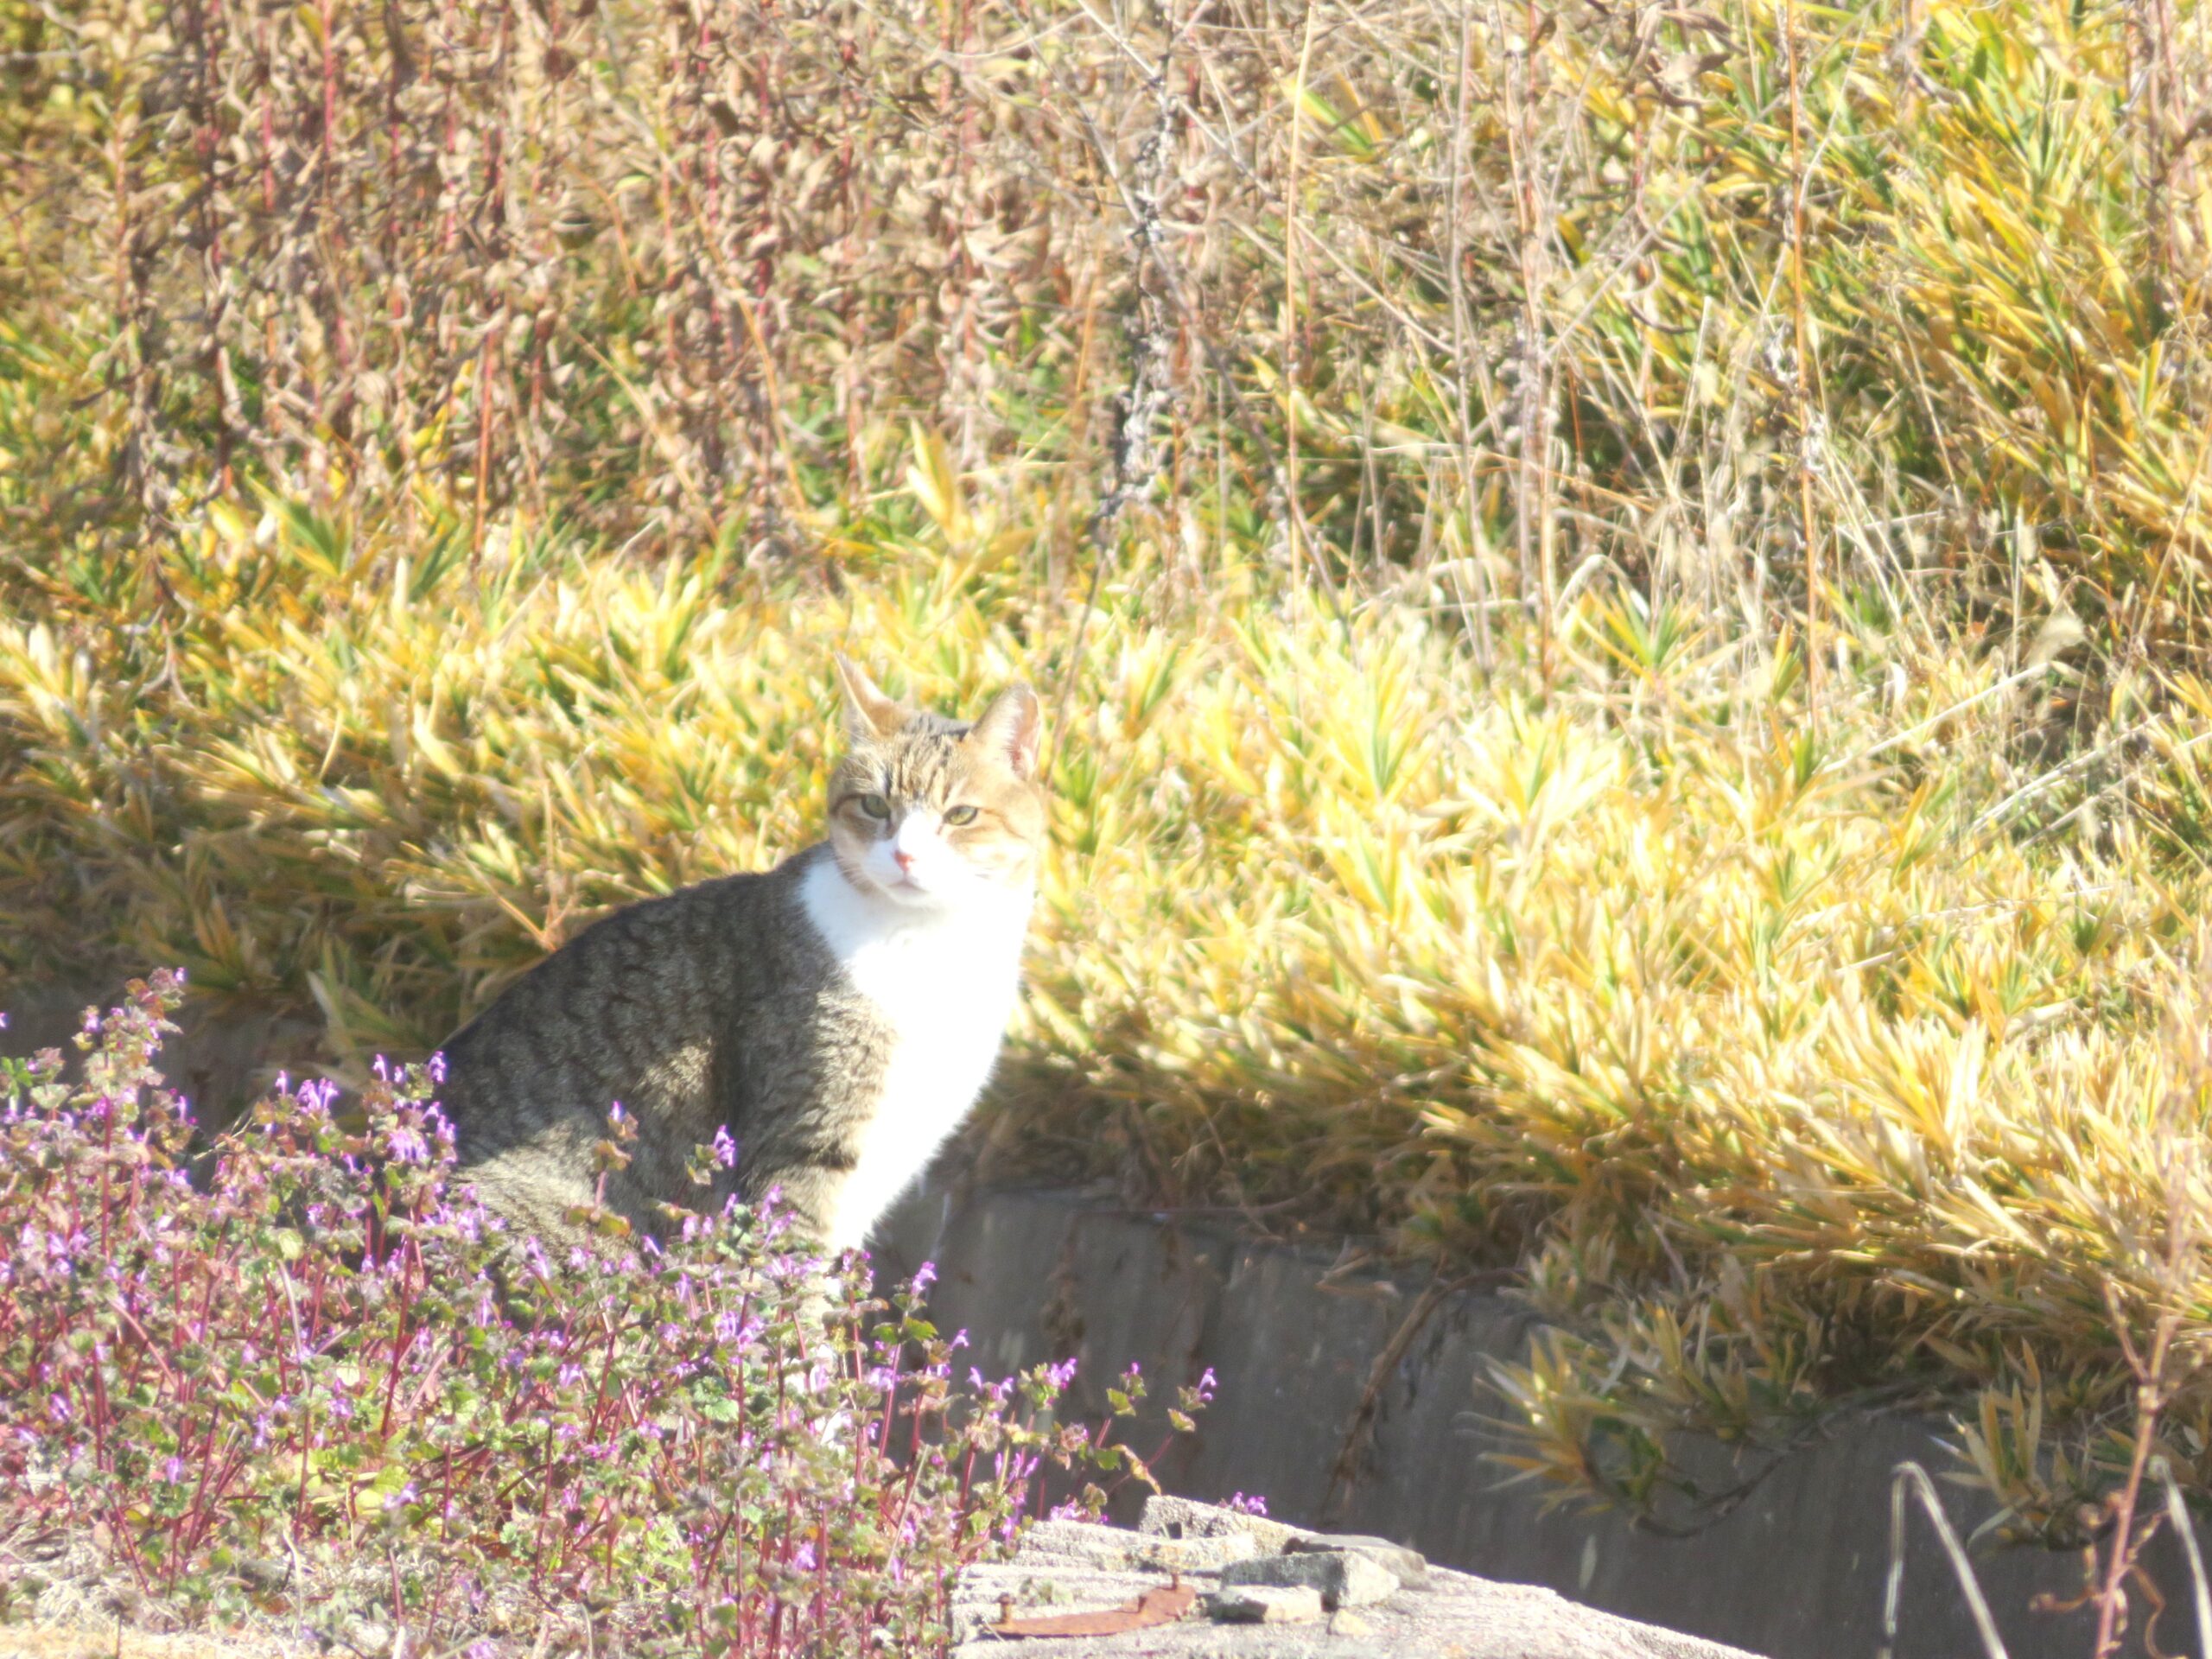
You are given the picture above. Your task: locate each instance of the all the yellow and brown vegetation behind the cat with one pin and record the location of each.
(1618, 592)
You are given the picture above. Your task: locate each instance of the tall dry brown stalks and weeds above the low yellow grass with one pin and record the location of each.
(1388, 278)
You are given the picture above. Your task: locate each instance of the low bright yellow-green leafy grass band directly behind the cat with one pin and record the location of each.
(1793, 1070)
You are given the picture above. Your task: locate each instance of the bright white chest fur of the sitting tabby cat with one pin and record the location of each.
(946, 981)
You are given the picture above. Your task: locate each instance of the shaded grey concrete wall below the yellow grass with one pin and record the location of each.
(1795, 1572)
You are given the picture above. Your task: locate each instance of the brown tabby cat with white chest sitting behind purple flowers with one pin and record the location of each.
(835, 1016)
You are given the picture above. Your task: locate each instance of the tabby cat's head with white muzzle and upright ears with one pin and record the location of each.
(937, 813)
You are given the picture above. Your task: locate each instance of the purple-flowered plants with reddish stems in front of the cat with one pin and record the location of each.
(315, 1401)
